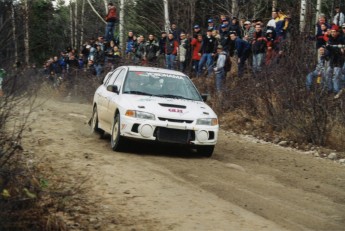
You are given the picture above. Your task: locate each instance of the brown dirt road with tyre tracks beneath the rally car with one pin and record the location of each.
(246, 185)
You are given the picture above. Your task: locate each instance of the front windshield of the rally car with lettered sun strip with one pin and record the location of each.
(160, 85)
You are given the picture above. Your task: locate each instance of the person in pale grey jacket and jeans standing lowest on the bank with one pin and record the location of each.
(219, 68)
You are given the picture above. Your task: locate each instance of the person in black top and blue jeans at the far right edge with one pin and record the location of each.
(335, 46)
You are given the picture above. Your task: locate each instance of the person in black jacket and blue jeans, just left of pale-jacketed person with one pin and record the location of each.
(207, 51)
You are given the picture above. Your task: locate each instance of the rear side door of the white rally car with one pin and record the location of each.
(104, 94)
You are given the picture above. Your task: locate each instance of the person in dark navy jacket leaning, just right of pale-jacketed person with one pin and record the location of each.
(242, 48)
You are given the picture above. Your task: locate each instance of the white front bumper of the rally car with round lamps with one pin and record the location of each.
(179, 132)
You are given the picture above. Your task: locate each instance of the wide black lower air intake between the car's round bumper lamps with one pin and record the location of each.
(169, 135)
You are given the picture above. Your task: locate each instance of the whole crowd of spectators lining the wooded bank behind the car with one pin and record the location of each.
(252, 44)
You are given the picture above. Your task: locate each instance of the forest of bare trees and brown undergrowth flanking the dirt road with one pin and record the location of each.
(276, 104)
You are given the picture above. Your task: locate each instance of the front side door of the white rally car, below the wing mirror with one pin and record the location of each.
(114, 98)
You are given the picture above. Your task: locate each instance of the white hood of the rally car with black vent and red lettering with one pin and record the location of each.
(170, 108)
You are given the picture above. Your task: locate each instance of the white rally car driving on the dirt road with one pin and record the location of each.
(155, 104)
